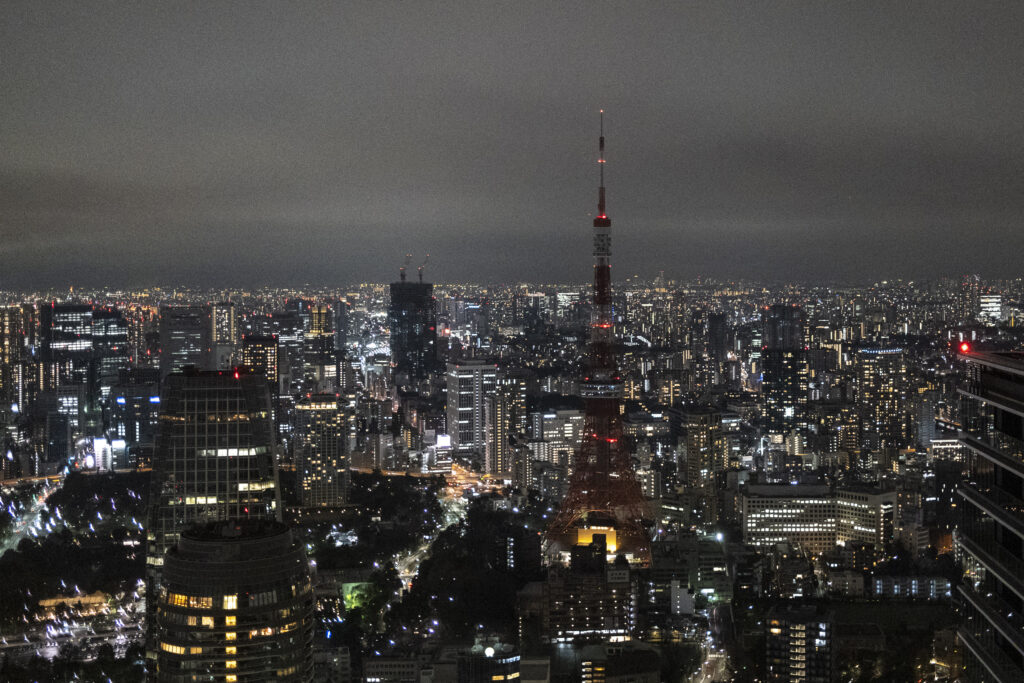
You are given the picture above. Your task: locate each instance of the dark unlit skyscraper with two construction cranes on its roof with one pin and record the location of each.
(413, 322)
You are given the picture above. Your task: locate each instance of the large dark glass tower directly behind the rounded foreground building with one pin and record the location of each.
(215, 458)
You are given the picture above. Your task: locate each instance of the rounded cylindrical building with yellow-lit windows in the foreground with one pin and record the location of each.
(236, 606)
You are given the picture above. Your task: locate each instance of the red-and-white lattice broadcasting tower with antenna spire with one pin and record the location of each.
(604, 488)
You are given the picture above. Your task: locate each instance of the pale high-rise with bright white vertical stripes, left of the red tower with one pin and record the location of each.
(470, 386)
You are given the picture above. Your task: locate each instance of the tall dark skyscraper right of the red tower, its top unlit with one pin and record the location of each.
(784, 383)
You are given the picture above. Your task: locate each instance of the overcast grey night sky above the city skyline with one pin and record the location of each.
(281, 144)
